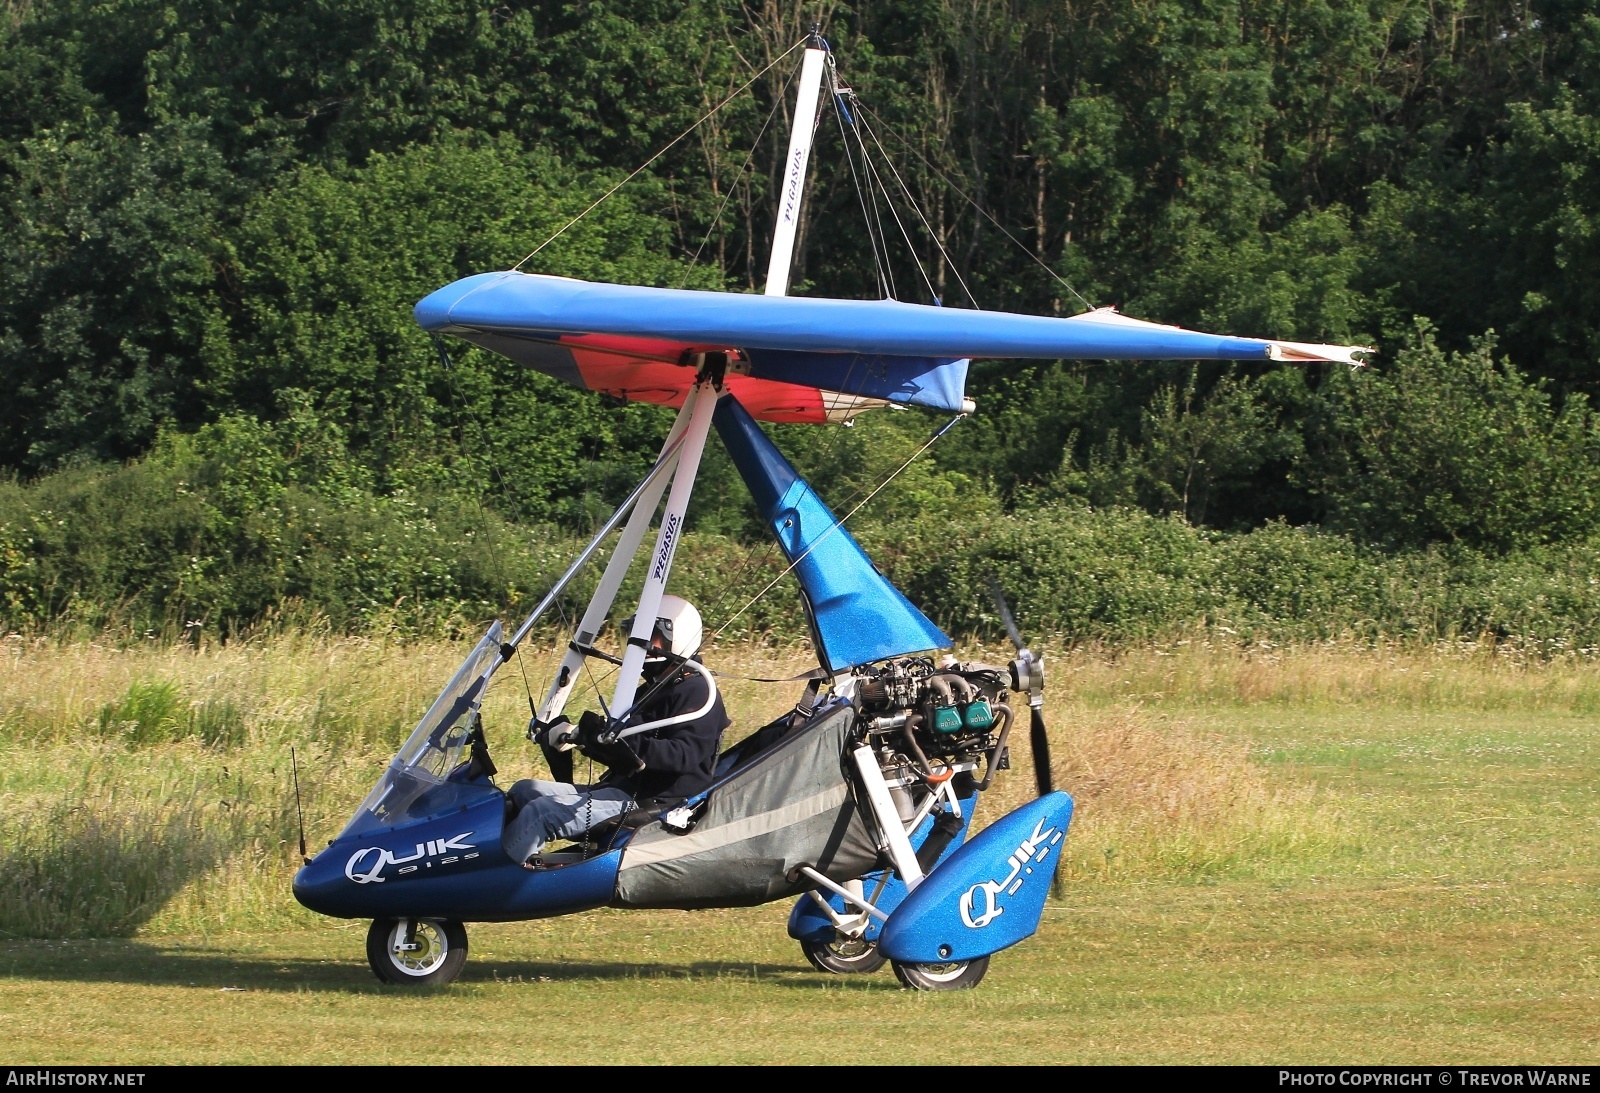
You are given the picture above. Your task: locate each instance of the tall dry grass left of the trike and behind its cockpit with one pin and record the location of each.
(148, 788)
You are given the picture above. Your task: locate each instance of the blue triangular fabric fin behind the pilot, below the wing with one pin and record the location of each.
(858, 615)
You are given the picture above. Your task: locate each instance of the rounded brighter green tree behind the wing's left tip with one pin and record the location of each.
(330, 265)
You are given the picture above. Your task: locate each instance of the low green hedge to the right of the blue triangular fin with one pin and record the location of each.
(1116, 577)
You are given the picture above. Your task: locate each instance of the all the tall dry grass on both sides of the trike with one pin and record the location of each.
(190, 748)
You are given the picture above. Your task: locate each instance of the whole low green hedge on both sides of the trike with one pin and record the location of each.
(242, 526)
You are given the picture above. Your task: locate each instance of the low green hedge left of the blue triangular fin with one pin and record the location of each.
(222, 530)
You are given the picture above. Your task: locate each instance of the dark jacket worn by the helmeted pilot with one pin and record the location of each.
(679, 759)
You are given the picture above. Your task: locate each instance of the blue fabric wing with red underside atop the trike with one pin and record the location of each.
(798, 358)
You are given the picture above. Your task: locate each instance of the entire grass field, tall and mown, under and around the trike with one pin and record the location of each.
(1281, 857)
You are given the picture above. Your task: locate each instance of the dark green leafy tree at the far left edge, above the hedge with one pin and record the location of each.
(110, 257)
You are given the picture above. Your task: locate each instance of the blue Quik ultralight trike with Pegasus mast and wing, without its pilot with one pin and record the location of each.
(862, 799)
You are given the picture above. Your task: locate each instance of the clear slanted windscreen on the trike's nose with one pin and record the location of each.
(417, 782)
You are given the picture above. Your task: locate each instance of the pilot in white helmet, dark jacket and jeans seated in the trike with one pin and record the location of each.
(657, 769)
